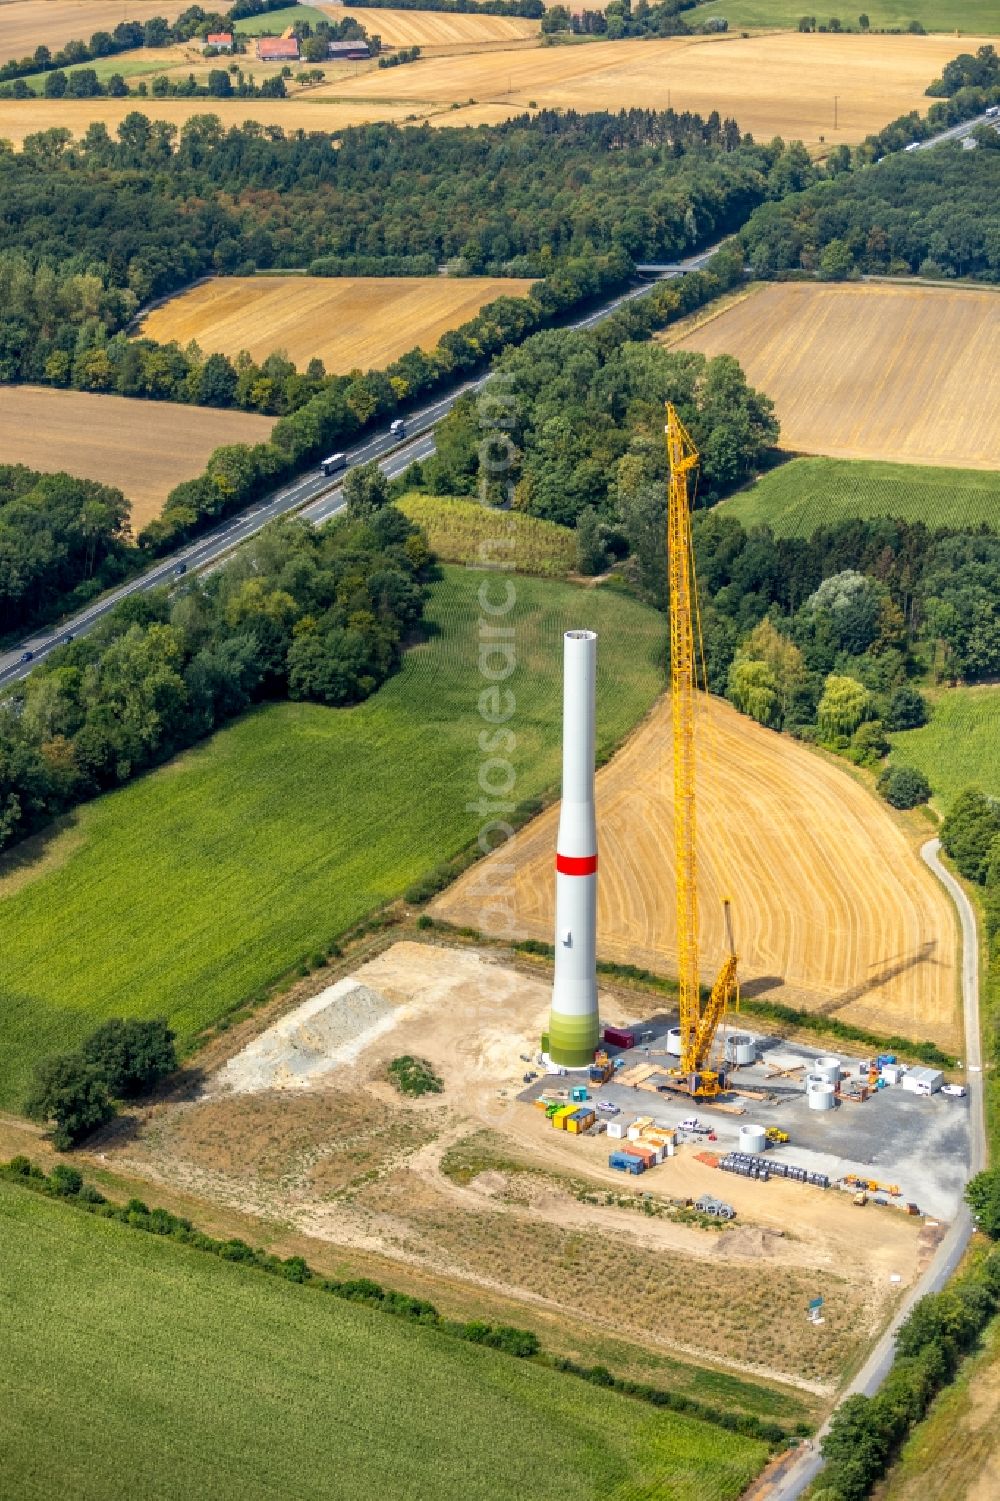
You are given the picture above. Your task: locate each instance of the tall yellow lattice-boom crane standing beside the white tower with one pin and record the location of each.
(697, 1027)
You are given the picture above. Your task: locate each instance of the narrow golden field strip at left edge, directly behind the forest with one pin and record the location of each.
(20, 118)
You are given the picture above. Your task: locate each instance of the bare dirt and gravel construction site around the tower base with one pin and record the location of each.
(472, 1187)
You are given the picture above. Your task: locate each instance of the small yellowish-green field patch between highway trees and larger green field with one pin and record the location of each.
(466, 532)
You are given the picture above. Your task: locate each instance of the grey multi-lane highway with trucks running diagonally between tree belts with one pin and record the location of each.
(313, 496)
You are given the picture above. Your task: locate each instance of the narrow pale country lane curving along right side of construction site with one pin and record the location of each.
(809, 1466)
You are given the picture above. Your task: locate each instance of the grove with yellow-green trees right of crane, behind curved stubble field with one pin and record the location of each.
(828, 636)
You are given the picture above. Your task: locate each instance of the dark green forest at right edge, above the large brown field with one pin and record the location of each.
(935, 214)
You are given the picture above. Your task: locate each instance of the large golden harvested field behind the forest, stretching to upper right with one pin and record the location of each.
(782, 85)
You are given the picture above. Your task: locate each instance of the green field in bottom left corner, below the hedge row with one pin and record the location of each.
(136, 1367)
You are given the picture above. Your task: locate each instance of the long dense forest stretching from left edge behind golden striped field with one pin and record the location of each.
(152, 208)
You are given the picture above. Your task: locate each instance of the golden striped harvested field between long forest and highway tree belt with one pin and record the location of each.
(351, 322)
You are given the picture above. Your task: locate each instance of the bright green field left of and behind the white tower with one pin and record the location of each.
(206, 880)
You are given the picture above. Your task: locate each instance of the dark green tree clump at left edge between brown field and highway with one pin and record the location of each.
(62, 541)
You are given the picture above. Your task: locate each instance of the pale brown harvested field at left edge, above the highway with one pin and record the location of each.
(142, 447)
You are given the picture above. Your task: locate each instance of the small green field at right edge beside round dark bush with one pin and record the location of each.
(960, 747)
